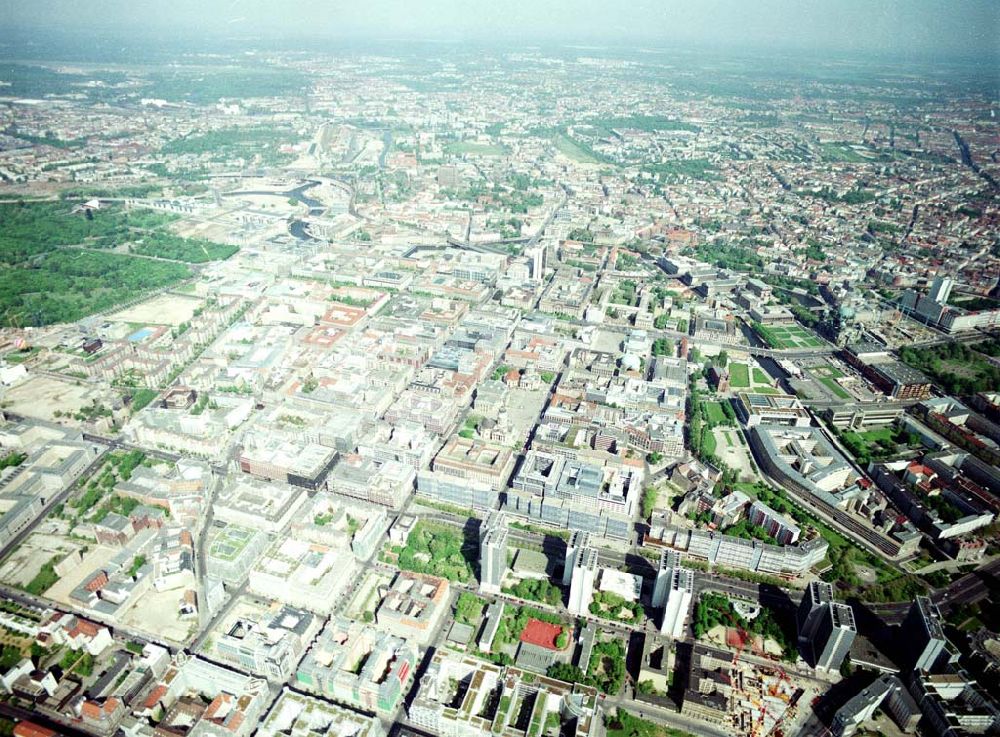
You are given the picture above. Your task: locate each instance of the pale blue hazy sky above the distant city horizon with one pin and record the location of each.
(907, 27)
